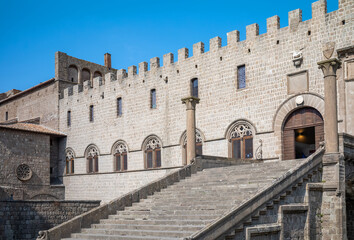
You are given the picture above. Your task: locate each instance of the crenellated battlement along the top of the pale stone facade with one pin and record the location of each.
(242, 49)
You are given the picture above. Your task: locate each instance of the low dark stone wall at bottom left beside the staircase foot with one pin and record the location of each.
(24, 219)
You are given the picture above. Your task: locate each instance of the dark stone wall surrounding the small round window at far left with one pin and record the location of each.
(32, 149)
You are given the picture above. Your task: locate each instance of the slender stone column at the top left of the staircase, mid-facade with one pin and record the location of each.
(190, 102)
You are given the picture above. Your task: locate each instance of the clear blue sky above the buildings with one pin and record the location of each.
(132, 31)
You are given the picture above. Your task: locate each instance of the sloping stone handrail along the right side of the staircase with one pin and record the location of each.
(225, 223)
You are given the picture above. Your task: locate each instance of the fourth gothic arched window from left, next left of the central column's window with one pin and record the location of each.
(152, 150)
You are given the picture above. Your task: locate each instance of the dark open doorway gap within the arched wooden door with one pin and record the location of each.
(305, 143)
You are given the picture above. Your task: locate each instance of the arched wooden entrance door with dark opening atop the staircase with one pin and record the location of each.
(302, 133)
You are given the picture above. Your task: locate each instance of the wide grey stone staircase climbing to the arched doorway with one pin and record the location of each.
(192, 204)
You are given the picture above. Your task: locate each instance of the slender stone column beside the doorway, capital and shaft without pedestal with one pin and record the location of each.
(329, 68)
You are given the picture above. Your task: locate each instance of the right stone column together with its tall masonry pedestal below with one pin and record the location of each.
(333, 212)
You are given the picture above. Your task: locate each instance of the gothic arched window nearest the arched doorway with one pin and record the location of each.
(240, 137)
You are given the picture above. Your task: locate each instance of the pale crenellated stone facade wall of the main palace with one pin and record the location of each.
(269, 67)
